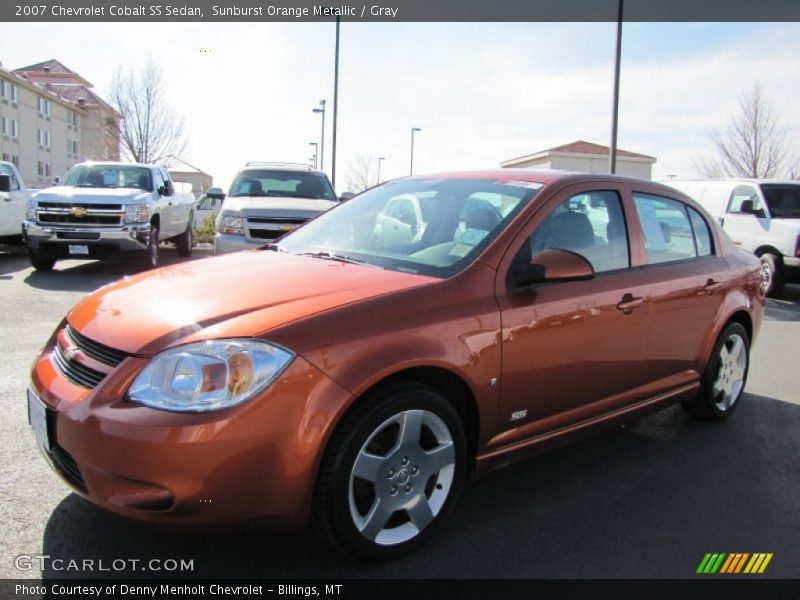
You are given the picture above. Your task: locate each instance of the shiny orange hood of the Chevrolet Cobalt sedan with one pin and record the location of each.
(236, 295)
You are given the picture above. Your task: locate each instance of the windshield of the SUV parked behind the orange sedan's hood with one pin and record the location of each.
(283, 184)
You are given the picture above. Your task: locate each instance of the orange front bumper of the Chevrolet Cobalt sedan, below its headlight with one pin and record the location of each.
(253, 463)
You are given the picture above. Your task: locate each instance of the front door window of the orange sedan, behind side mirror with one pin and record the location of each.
(591, 224)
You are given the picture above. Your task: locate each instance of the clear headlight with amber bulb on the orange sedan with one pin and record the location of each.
(208, 376)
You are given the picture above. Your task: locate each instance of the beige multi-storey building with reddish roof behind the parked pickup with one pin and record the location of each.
(50, 119)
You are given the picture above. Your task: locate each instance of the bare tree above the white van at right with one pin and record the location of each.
(753, 145)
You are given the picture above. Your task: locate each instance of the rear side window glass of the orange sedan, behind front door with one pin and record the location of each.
(668, 233)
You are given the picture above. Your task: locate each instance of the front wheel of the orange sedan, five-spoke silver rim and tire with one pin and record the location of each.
(392, 472)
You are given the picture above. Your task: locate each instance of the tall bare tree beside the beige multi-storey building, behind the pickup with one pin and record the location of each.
(150, 131)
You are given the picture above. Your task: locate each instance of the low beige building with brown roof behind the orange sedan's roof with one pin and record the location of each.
(586, 157)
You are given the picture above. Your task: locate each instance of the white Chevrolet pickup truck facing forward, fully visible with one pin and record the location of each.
(107, 209)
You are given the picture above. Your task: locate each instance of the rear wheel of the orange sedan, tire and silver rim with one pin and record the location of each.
(725, 376)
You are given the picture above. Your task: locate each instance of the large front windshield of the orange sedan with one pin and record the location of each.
(432, 227)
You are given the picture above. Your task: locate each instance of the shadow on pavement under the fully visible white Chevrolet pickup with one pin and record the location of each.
(86, 276)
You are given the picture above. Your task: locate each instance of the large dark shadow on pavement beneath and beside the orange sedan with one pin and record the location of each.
(648, 500)
